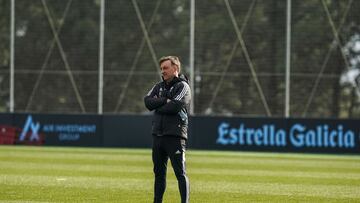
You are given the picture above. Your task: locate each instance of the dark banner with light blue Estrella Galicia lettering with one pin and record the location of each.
(281, 135)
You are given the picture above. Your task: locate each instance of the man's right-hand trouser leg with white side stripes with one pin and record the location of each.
(177, 158)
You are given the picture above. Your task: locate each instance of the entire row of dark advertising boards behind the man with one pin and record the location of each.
(212, 133)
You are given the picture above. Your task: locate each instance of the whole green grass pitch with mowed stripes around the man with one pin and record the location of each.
(58, 174)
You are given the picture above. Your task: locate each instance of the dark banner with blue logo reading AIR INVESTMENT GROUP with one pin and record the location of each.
(58, 129)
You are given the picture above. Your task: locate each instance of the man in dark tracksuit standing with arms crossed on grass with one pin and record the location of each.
(170, 100)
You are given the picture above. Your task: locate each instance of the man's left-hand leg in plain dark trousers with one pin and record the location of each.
(159, 158)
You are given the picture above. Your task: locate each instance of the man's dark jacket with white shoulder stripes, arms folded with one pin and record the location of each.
(170, 118)
